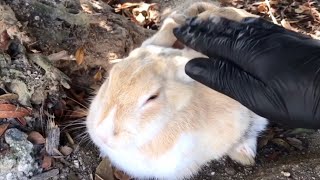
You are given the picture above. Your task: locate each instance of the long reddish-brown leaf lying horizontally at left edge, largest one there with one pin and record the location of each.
(11, 111)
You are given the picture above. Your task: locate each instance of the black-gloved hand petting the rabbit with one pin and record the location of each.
(270, 70)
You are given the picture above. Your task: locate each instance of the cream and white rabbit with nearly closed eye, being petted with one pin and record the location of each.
(153, 121)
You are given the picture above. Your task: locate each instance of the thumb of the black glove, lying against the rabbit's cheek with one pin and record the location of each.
(228, 79)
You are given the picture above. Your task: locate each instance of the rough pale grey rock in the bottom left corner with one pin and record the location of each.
(18, 162)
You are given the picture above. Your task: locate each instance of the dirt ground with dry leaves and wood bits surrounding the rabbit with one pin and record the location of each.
(55, 53)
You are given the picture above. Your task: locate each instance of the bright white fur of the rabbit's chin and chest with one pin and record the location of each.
(181, 161)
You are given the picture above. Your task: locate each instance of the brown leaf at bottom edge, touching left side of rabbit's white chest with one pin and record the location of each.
(104, 170)
